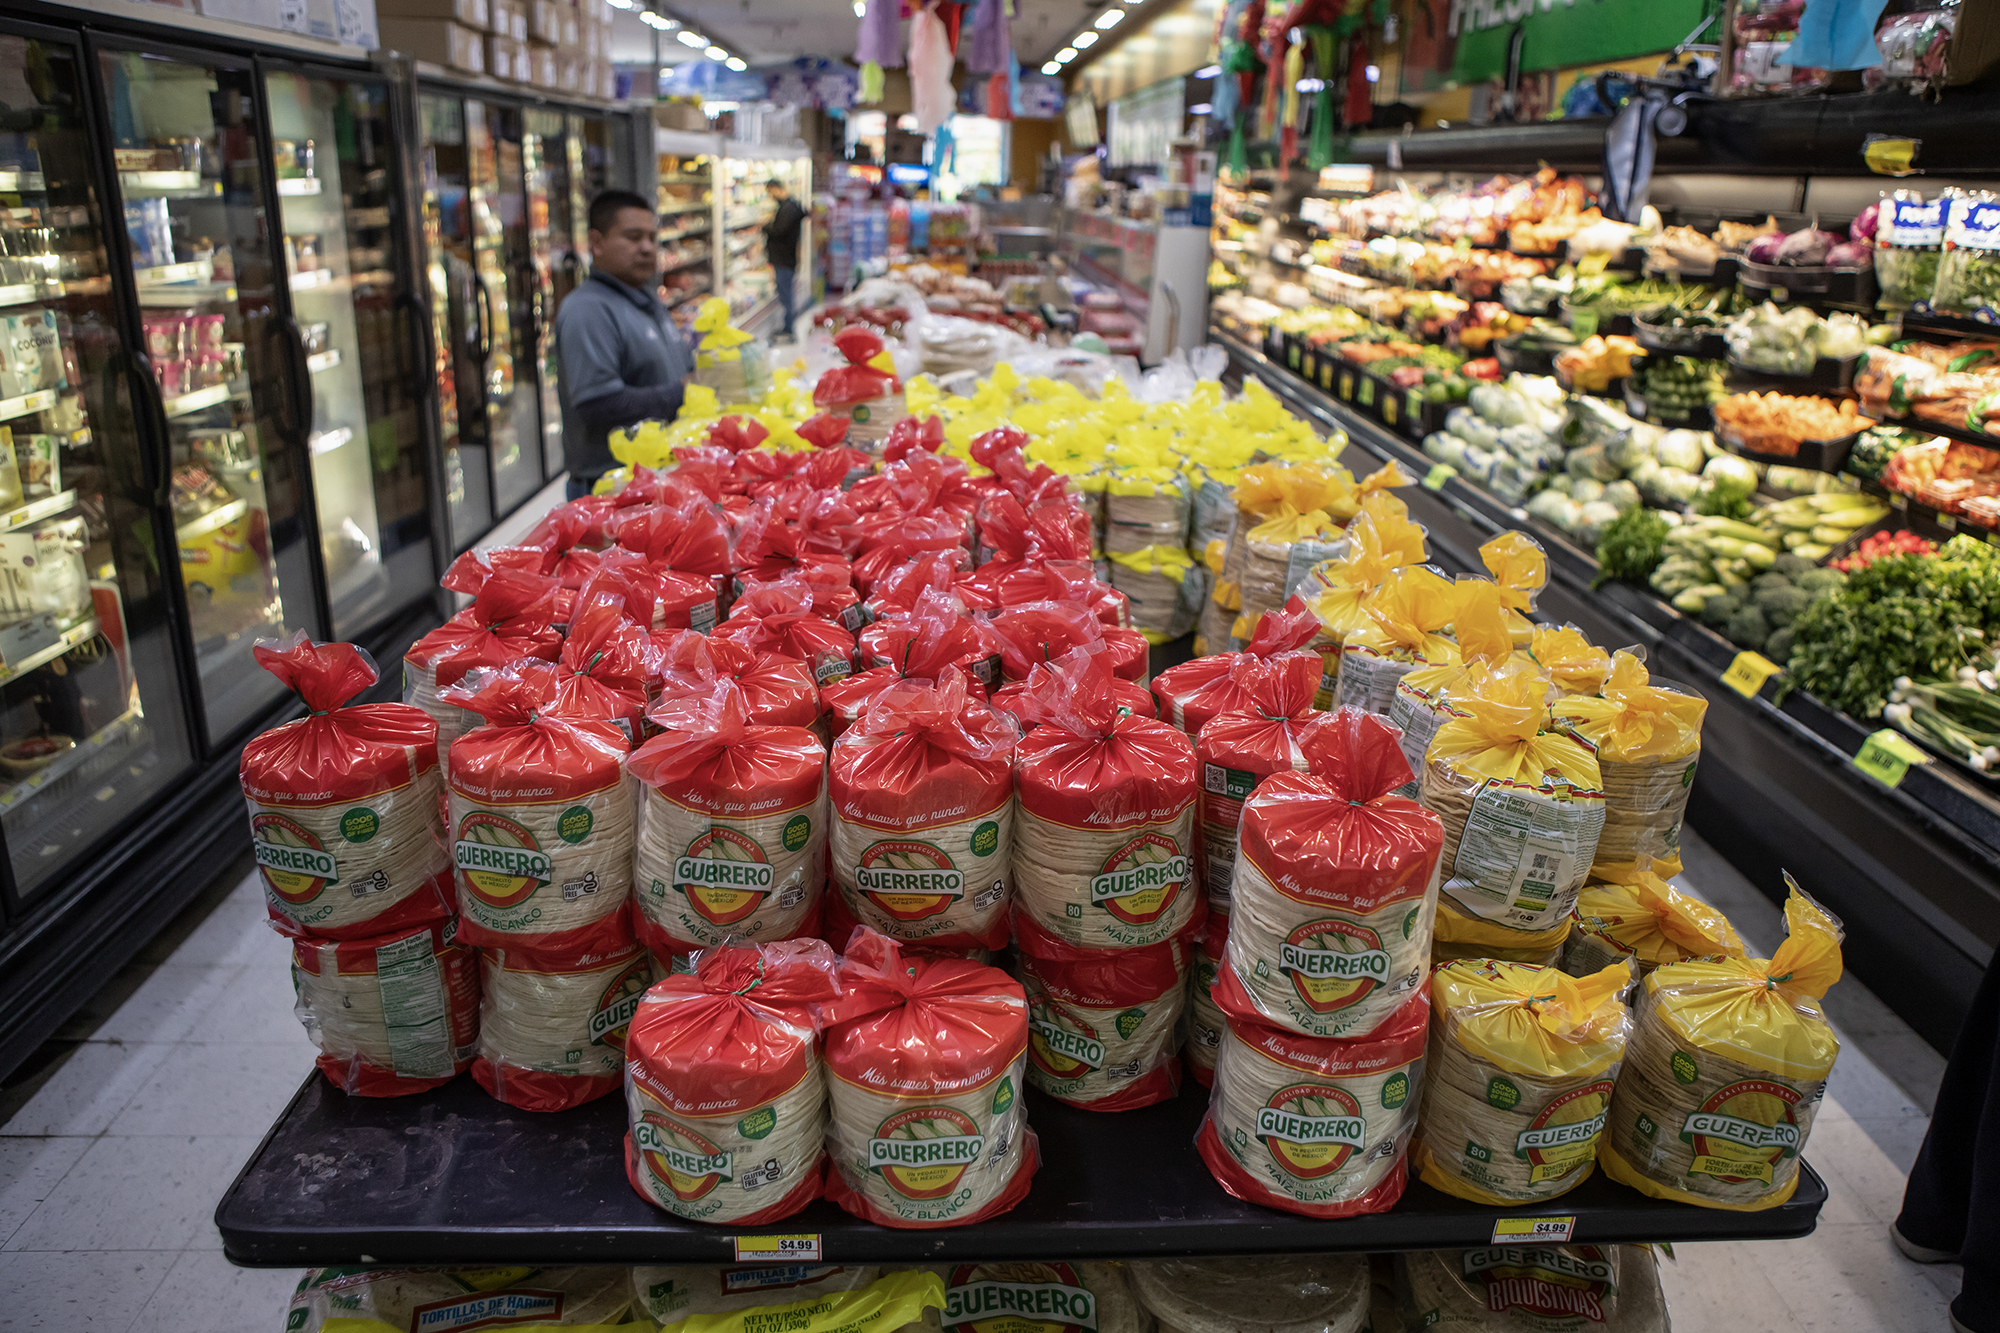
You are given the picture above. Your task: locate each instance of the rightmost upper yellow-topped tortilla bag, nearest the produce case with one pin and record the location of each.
(1649, 742)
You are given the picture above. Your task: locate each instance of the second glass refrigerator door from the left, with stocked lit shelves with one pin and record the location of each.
(205, 259)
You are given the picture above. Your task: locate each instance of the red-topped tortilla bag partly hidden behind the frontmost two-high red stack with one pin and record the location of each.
(1241, 748)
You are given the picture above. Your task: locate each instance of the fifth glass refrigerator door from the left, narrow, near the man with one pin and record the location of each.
(501, 255)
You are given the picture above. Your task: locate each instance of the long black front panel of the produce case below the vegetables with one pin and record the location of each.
(1915, 870)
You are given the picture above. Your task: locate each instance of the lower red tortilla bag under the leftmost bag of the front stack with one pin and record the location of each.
(391, 1016)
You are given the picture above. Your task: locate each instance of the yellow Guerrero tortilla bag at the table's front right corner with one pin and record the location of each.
(1727, 1072)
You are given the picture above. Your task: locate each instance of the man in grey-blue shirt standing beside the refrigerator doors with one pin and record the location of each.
(623, 359)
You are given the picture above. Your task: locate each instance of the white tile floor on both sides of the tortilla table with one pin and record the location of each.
(115, 1154)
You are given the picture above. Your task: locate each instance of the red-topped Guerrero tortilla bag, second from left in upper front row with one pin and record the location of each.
(541, 824)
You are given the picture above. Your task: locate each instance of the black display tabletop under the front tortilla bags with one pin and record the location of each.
(459, 1178)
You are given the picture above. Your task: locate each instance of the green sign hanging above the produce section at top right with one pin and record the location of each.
(1563, 33)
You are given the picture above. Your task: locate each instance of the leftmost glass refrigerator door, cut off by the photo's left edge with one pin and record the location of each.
(91, 720)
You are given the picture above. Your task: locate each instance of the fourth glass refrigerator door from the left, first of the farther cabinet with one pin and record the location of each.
(457, 317)
